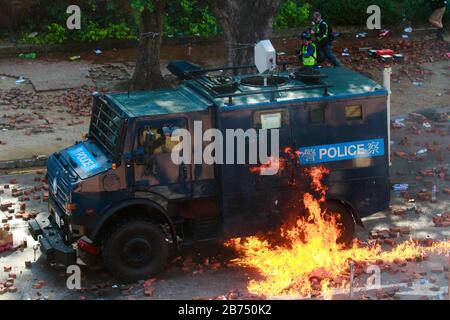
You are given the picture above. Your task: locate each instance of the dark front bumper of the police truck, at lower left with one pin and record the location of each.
(51, 239)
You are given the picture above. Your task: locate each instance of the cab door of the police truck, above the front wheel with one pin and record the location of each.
(153, 165)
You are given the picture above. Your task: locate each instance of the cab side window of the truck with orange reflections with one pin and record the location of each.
(158, 139)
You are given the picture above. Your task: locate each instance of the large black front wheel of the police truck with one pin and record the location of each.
(135, 250)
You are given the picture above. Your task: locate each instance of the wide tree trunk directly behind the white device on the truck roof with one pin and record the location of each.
(244, 23)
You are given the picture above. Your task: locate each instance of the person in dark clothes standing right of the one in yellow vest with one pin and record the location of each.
(324, 36)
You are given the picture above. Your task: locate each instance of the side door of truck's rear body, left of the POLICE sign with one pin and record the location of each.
(264, 191)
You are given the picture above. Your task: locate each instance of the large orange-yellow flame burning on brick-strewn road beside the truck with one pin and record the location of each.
(310, 259)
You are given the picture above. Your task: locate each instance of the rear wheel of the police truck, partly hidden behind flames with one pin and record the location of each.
(345, 221)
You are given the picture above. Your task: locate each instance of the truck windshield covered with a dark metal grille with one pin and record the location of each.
(106, 127)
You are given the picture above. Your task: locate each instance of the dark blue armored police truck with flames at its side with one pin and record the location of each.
(119, 191)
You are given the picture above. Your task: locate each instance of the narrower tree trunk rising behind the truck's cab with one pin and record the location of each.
(147, 74)
